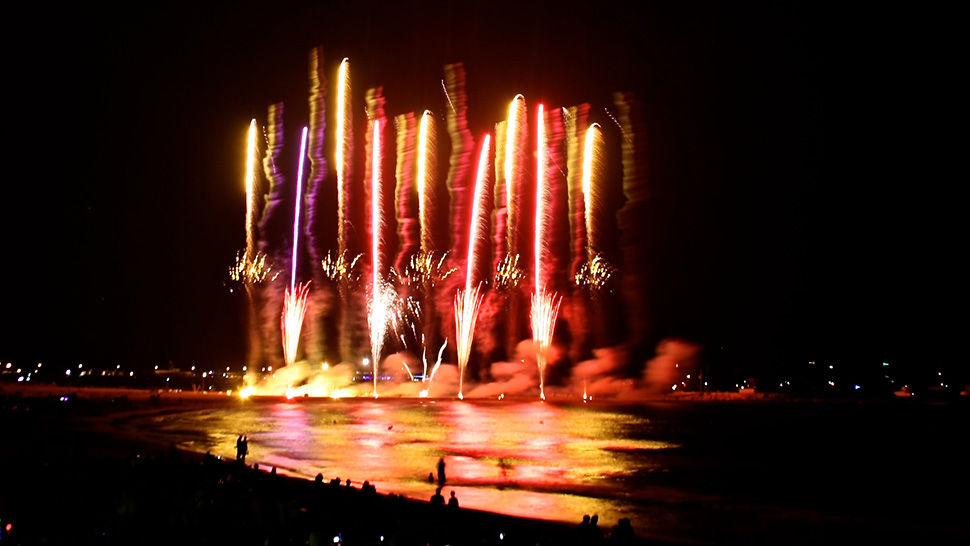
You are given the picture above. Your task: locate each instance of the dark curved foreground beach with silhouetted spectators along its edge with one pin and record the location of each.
(67, 483)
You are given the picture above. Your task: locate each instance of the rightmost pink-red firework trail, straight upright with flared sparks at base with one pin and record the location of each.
(545, 305)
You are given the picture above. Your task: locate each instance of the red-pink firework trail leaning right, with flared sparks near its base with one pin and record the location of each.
(467, 302)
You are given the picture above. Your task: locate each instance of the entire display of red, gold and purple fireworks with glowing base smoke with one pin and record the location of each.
(400, 310)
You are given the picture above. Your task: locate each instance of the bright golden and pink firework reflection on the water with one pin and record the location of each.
(534, 459)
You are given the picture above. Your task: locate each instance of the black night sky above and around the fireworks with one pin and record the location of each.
(787, 222)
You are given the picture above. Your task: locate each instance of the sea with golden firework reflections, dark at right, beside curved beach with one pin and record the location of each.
(697, 471)
